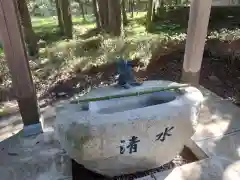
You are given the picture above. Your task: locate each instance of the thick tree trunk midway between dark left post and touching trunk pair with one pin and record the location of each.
(66, 17)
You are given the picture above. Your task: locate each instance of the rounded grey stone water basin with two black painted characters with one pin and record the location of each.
(125, 135)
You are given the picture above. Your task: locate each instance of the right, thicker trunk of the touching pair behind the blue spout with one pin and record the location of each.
(115, 20)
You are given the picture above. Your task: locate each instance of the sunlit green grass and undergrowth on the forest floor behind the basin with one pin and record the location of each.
(60, 59)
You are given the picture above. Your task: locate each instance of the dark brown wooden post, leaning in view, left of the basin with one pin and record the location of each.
(15, 53)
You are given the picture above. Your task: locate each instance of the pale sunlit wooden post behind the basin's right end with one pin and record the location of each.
(196, 35)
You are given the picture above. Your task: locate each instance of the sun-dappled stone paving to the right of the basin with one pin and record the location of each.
(218, 136)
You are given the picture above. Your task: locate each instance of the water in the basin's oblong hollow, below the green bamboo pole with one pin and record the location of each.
(130, 103)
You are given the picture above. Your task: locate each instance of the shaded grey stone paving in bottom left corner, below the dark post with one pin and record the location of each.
(33, 158)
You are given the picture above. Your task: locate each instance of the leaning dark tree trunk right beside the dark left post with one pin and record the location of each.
(29, 34)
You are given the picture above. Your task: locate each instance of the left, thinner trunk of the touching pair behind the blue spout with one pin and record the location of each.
(103, 12)
